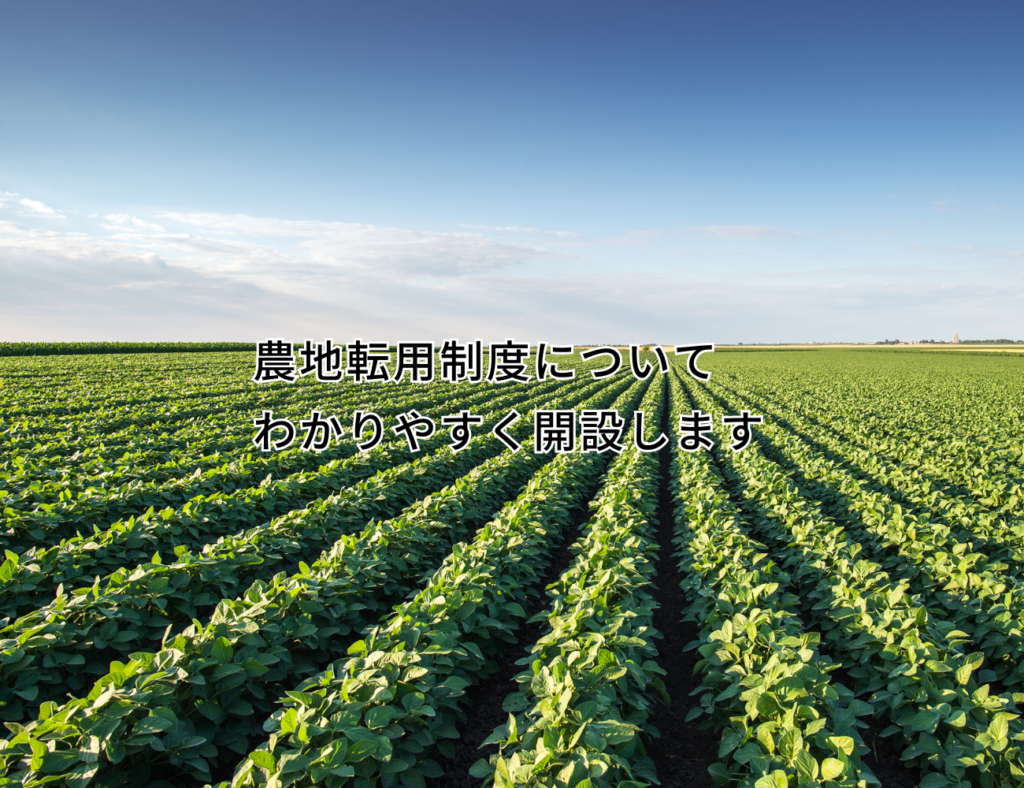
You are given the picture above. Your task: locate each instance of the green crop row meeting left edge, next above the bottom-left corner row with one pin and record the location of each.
(48, 648)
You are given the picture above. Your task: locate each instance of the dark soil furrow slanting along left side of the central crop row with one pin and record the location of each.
(484, 702)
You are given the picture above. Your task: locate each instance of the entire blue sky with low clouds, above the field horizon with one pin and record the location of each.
(571, 172)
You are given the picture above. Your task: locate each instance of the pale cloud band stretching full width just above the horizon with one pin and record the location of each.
(200, 277)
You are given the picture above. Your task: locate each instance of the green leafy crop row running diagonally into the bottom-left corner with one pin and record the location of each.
(229, 674)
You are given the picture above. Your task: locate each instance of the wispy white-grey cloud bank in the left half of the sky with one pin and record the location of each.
(362, 273)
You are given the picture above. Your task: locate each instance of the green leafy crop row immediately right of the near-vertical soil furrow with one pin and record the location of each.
(767, 688)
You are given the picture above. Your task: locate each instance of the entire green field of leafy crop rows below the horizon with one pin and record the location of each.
(840, 604)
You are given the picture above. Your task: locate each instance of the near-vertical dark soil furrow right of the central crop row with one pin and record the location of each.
(684, 752)
